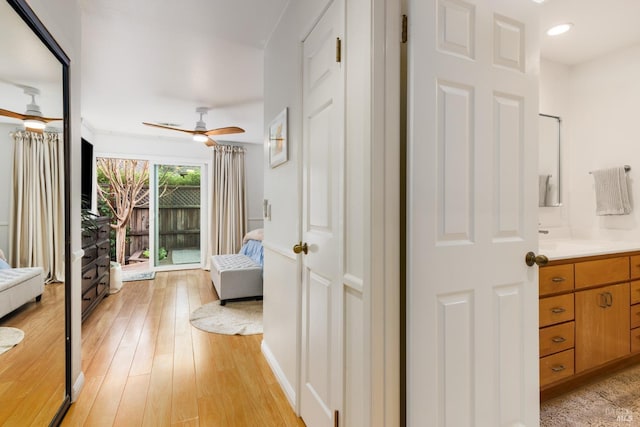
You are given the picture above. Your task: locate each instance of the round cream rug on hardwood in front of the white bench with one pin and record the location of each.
(234, 318)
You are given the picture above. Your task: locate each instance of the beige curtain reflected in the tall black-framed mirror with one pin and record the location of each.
(37, 206)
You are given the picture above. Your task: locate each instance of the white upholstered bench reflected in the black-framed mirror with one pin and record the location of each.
(18, 286)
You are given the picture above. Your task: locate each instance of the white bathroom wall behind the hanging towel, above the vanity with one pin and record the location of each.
(600, 131)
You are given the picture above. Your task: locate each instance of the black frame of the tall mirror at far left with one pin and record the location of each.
(29, 17)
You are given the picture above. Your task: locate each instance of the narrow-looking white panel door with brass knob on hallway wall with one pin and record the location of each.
(323, 146)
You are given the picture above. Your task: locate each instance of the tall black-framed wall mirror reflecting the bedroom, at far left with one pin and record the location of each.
(35, 374)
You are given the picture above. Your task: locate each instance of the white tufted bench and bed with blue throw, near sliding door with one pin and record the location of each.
(239, 276)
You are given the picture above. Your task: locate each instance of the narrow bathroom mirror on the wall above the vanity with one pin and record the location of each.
(549, 178)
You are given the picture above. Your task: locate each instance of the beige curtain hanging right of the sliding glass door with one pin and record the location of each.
(228, 200)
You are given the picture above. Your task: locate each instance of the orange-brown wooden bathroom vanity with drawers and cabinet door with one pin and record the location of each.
(589, 316)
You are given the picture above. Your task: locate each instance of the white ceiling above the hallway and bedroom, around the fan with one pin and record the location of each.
(158, 60)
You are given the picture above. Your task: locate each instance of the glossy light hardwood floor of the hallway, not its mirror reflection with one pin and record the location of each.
(145, 365)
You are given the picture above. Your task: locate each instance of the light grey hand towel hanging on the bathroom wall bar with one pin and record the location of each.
(612, 194)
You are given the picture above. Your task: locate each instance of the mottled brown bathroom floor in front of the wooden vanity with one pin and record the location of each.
(614, 401)
